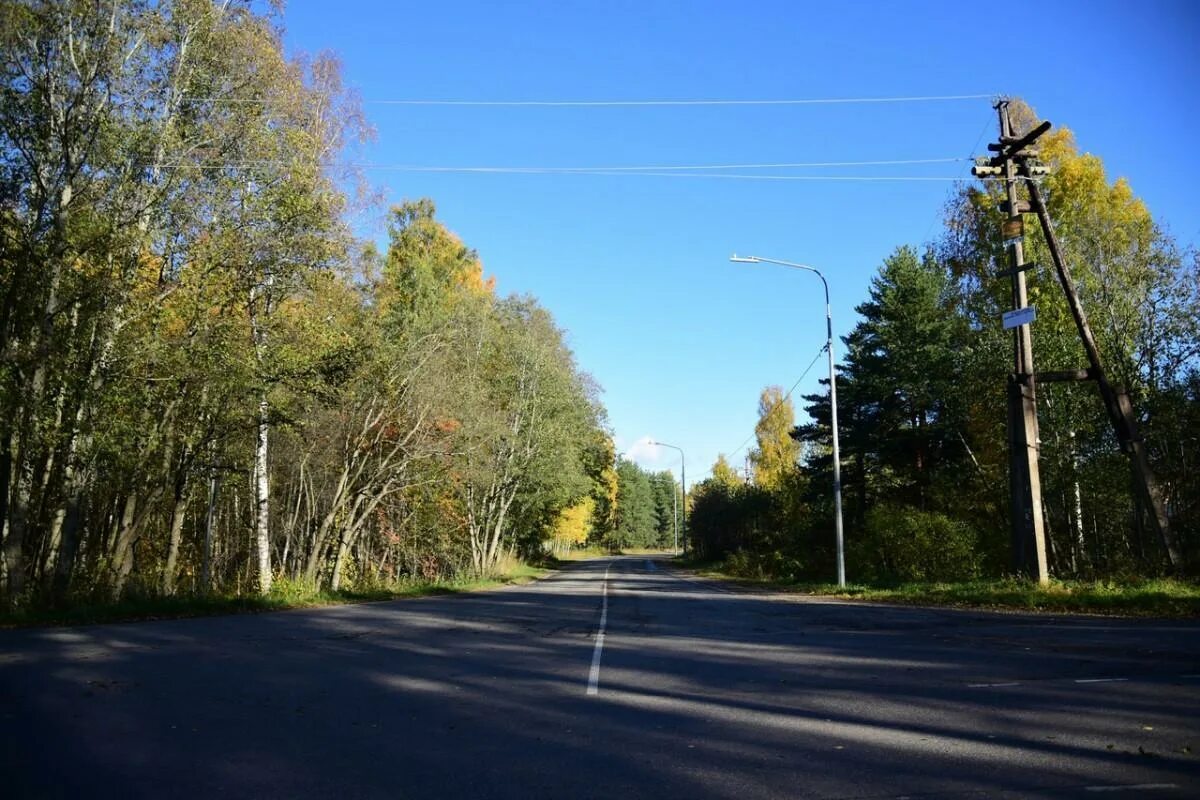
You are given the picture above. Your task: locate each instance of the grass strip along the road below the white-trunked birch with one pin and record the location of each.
(285, 594)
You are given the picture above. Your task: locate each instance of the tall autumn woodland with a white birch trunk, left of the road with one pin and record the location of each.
(208, 382)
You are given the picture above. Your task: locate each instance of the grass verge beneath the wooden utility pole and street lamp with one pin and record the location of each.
(1133, 598)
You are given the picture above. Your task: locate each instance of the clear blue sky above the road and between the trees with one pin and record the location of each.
(637, 268)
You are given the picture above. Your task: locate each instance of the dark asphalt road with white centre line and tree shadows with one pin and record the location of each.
(693, 693)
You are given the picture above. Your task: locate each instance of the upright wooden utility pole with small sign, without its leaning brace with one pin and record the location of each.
(1029, 544)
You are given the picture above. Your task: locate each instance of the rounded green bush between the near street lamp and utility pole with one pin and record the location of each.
(911, 545)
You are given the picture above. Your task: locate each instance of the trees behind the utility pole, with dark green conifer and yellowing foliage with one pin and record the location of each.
(922, 394)
